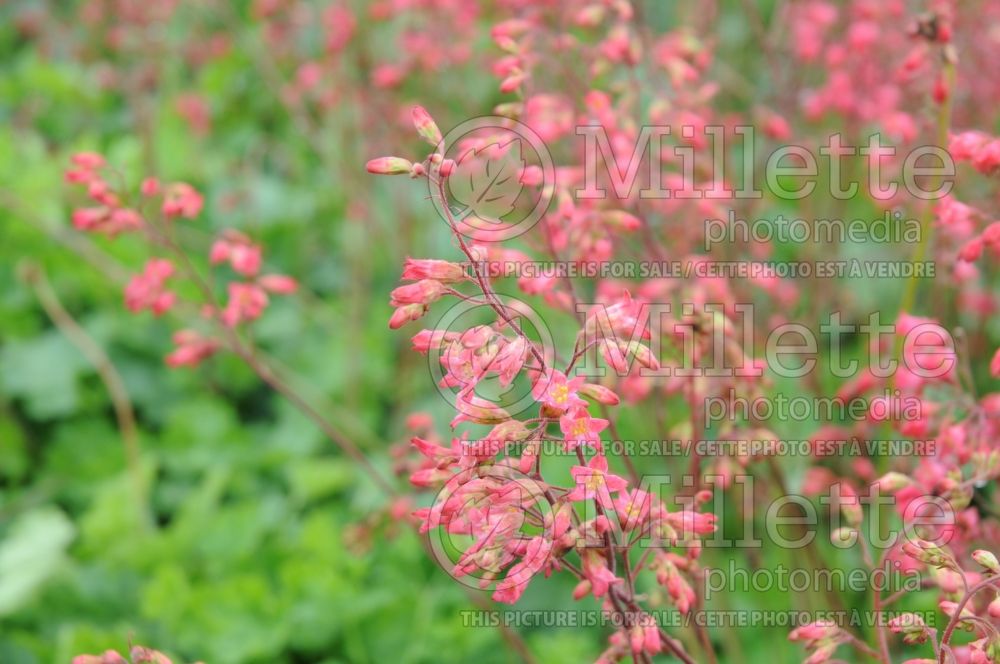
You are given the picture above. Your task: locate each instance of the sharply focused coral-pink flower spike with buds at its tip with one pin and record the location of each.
(495, 487)
